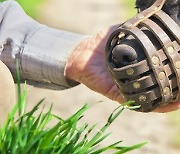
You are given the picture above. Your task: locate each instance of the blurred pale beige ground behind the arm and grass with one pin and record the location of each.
(88, 17)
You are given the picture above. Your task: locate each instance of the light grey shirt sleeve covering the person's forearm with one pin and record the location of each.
(42, 51)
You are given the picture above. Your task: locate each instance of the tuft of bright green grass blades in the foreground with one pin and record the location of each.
(30, 133)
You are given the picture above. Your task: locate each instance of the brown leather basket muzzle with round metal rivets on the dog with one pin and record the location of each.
(154, 81)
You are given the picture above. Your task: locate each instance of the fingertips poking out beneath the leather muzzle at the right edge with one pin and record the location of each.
(168, 108)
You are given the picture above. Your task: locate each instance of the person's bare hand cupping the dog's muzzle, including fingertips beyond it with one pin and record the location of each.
(86, 65)
